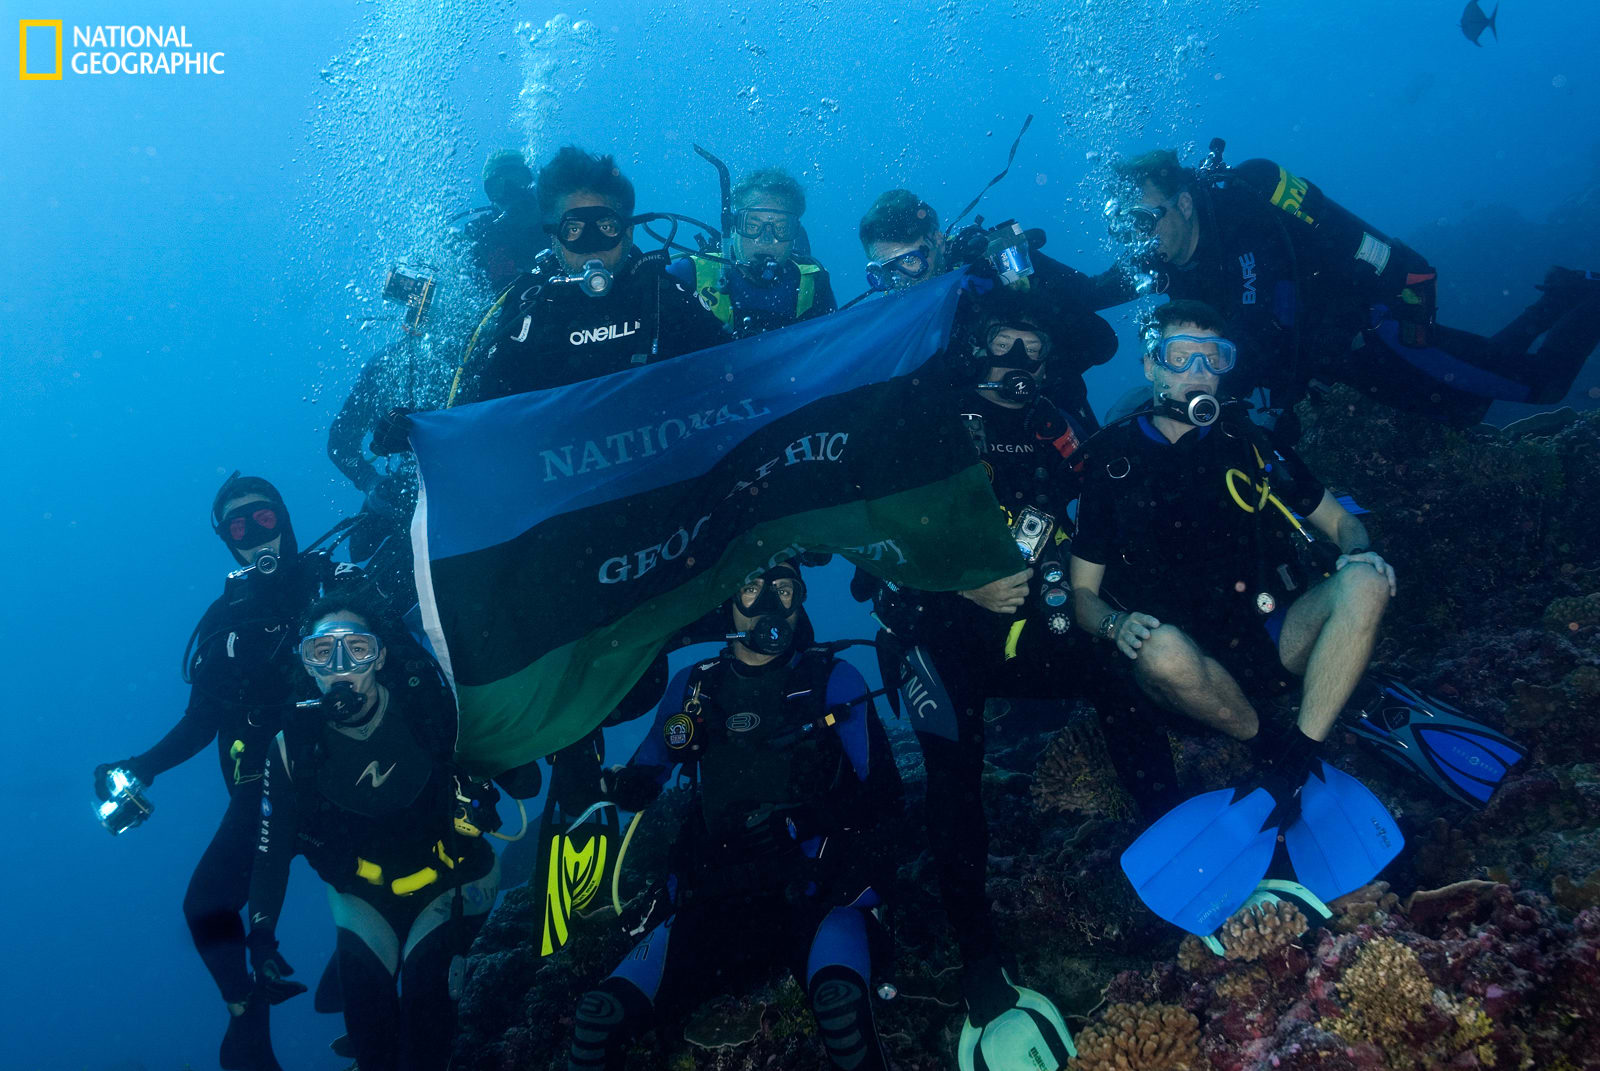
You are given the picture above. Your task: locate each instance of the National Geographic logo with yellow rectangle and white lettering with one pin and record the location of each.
(118, 50)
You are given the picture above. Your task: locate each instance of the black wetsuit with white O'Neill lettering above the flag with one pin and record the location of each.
(553, 334)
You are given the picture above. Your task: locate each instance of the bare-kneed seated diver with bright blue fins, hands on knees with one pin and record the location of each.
(1191, 516)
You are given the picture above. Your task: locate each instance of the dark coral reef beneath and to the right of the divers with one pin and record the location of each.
(1479, 950)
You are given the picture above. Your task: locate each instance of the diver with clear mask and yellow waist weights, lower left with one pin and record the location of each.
(361, 784)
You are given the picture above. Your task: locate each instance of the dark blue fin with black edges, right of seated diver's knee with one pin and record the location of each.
(1434, 740)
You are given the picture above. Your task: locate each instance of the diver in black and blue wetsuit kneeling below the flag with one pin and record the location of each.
(788, 846)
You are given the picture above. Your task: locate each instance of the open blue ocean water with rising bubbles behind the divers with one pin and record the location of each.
(191, 260)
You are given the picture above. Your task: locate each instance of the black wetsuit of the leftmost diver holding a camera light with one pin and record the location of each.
(244, 675)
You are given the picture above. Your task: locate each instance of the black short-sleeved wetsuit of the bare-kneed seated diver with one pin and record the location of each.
(1177, 544)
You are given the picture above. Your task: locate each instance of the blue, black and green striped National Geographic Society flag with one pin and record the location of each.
(564, 535)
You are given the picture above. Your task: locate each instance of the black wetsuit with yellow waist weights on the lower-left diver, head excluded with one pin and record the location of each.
(375, 820)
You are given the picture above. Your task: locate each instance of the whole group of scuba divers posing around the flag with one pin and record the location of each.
(1204, 574)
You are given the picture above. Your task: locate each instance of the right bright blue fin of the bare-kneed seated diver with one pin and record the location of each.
(1345, 835)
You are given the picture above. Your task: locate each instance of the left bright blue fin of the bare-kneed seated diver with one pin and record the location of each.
(1202, 860)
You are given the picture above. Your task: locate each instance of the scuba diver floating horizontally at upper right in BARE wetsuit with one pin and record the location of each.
(1314, 295)
